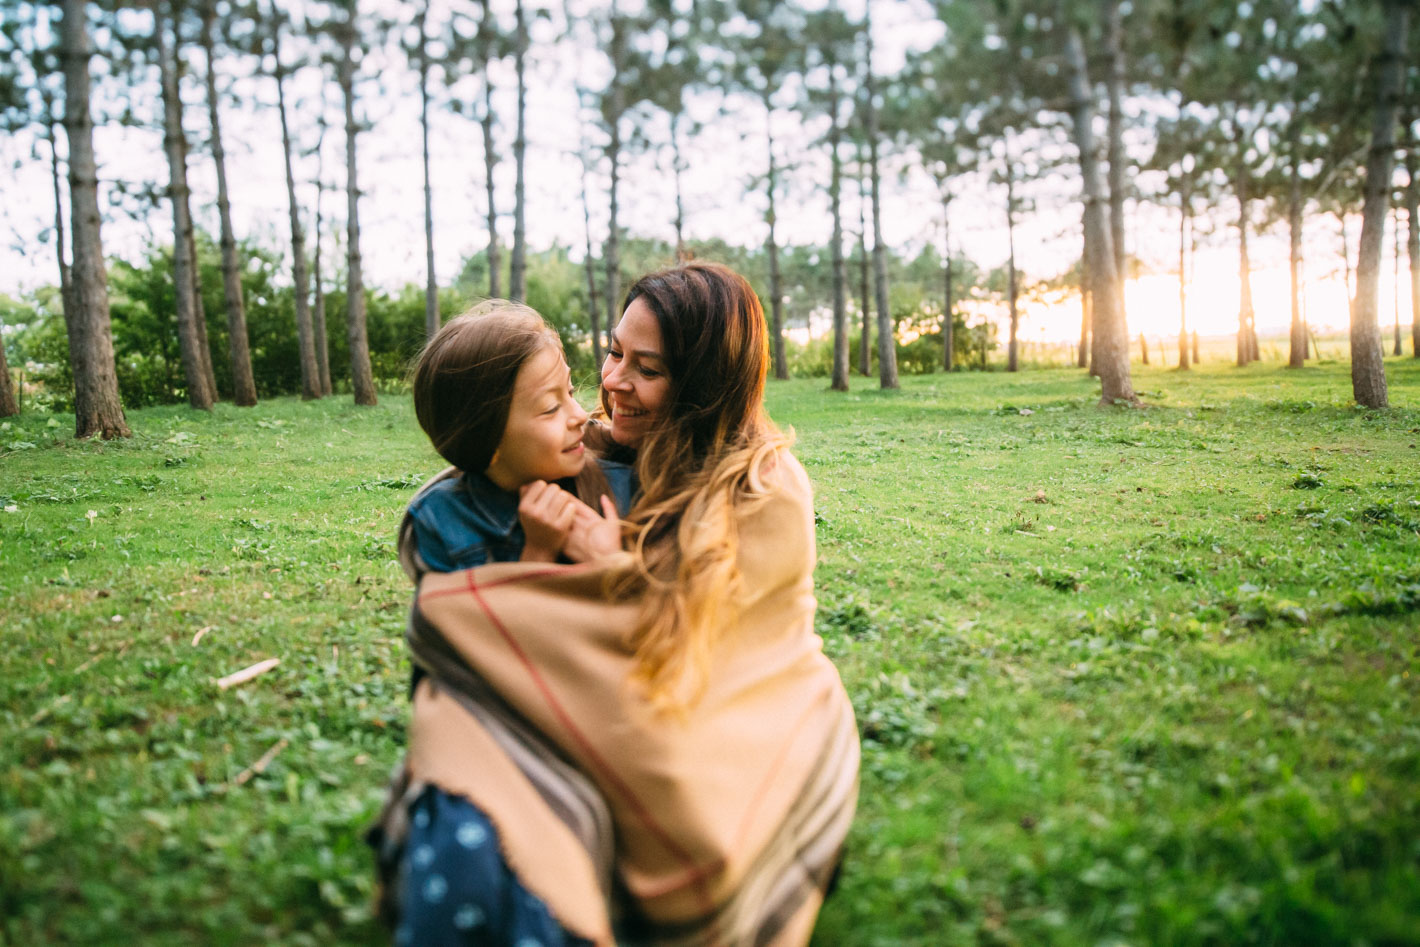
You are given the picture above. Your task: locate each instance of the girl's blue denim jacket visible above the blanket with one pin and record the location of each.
(469, 520)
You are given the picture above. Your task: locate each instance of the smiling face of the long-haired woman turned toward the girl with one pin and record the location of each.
(635, 376)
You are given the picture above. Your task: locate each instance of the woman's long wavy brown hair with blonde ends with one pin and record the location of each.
(699, 466)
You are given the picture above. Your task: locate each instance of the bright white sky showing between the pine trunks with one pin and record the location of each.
(723, 160)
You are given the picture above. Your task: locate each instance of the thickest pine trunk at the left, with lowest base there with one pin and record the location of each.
(97, 410)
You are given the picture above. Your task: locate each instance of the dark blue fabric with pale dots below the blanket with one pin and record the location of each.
(457, 891)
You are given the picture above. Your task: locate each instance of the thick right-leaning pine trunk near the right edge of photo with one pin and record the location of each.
(1368, 370)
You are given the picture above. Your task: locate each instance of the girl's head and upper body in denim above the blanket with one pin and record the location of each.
(493, 393)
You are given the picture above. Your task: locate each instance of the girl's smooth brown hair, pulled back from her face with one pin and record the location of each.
(464, 378)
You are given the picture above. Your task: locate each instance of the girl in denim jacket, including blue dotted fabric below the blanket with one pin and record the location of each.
(493, 393)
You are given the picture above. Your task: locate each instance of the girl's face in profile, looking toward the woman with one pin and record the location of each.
(543, 439)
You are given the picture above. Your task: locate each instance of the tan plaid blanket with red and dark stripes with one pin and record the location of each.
(722, 826)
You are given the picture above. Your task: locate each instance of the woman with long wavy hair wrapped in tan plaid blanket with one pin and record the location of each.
(712, 749)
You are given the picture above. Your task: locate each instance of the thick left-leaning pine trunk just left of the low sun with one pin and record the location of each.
(1111, 341)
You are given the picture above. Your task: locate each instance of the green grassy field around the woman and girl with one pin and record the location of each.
(1124, 677)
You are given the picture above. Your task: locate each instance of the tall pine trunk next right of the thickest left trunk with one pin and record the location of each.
(185, 295)
